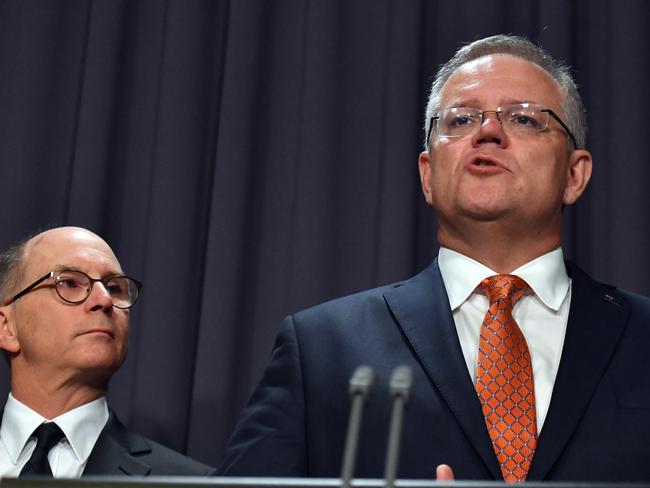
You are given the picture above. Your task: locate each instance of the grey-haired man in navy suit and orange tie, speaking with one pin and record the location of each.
(560, 395)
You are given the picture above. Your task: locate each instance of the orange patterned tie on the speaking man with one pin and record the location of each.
(505, 379)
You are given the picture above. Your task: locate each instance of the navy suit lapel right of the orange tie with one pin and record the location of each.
(597, 317)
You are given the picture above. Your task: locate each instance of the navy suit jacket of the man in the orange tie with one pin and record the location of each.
(597, 426)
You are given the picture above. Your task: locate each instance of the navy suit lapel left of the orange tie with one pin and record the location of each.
(421, 308)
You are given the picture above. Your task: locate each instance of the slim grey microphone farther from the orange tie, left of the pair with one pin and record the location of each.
(360, 383)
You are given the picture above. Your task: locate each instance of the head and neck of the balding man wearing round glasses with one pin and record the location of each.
(63, 335)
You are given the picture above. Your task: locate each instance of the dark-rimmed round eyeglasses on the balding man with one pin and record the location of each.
(76, 286)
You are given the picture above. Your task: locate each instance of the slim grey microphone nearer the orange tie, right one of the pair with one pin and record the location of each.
(401, 382)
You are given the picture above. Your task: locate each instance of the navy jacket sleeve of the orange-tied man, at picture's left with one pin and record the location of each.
(270, 438)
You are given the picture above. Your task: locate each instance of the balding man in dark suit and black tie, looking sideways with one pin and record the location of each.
(64, 325)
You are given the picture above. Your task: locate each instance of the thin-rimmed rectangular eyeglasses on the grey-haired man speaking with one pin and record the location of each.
(519, 118)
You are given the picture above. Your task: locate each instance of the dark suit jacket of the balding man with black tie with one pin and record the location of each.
(120, 452)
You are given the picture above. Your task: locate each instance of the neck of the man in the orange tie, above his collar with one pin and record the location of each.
(502, 250)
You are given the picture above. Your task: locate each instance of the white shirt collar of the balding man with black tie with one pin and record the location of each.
(81, 426)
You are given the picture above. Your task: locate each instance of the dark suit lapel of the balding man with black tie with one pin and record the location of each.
(114, 452)
